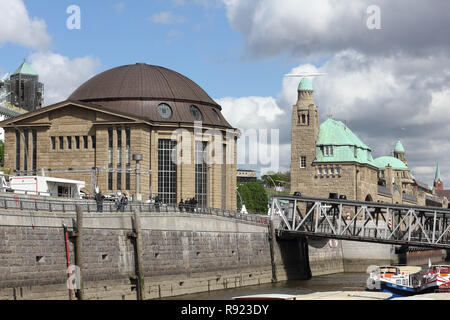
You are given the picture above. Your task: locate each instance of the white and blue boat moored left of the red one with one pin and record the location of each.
(400, 281)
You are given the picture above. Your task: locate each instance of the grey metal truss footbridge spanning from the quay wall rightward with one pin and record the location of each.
(361, 221)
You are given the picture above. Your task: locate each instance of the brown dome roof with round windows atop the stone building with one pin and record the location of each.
(138, 90)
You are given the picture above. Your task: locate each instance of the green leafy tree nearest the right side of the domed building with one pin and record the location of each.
(254, 196)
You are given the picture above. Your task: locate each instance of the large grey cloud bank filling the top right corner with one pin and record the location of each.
(321, 27)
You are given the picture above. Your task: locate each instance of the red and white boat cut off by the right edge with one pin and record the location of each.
(436, 279)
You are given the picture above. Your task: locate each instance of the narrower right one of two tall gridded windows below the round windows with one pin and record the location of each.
(201, 173)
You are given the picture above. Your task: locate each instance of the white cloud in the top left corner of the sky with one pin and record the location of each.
(16, 26)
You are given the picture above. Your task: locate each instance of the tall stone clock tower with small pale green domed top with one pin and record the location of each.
(304, 134)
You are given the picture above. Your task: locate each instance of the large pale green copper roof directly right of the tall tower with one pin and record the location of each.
(347, 147)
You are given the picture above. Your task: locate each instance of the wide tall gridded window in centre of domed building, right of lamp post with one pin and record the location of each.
(167, 172)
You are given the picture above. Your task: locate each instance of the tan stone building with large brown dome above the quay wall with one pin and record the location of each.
(132, 112)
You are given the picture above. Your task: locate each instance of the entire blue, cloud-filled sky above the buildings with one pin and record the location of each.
(387, 62)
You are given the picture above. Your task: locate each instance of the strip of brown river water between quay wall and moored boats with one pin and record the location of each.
(333, 282)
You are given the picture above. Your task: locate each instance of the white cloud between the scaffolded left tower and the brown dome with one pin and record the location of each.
(61, 75)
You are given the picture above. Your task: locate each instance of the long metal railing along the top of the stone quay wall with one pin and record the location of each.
(90, 206)
